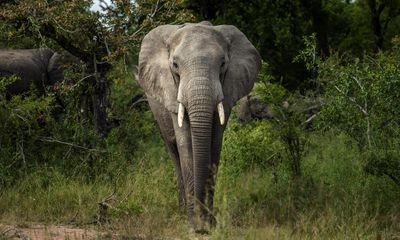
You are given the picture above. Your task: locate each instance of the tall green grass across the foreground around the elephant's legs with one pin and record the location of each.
(335, 199)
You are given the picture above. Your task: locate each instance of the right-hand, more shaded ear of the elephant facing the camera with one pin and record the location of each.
(244, 65)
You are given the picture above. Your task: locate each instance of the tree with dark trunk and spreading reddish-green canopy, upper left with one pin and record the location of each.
(99, 40)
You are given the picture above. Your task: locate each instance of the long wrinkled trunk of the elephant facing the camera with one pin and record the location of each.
(201, 108)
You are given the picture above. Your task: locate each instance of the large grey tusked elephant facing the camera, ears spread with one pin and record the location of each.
(192, 75)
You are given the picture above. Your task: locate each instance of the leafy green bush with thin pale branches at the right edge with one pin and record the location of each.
(361, 99)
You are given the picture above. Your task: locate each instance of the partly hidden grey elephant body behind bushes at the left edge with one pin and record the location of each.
(40, 67)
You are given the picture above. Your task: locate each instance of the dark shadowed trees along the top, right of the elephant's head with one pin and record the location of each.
(277, 29)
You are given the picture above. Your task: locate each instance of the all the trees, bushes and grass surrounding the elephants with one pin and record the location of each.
(327, 166)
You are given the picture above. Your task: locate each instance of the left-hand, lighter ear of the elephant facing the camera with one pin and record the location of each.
(155, 76)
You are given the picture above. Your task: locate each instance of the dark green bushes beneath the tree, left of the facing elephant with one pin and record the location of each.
(33, 135)
